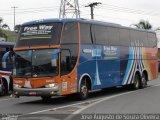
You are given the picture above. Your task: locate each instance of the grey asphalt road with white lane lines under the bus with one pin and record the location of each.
(111, 101)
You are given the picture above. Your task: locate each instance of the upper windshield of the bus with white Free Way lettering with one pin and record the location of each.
(39, 34)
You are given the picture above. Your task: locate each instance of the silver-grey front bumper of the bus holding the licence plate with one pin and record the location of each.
(37, 91)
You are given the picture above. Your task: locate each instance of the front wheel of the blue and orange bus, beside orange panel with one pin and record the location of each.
(83, 94)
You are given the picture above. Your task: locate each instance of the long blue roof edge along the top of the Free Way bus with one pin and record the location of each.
(43, 21)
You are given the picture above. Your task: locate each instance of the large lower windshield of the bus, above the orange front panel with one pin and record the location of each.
(34, 63)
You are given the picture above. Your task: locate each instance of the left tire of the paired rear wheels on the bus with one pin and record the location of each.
(136, 84)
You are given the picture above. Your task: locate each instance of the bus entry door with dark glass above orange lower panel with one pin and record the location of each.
(68, 74)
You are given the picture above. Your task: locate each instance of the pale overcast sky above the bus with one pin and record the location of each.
(124, 12)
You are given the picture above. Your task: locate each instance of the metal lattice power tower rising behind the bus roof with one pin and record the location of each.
(69, 8)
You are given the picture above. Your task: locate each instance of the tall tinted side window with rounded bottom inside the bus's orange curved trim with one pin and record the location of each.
(69, 47)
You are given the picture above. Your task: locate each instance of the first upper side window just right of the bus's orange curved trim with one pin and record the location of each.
(86, 33)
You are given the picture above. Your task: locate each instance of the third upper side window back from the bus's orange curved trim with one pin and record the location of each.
(113, 36)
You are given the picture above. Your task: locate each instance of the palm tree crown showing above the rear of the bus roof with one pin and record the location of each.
(143, 25)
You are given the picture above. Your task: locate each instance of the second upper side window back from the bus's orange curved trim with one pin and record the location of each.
(101, 34)
